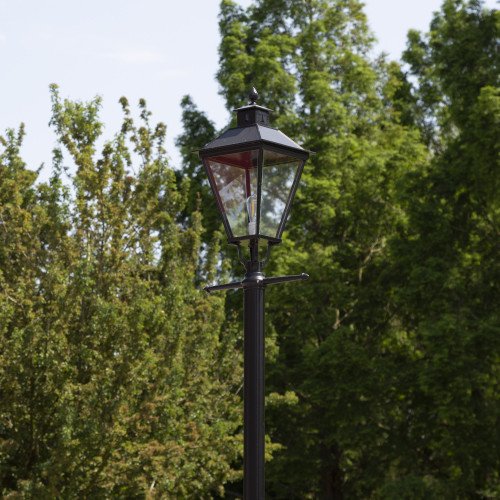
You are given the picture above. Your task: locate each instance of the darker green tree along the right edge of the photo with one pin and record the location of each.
(446, 257)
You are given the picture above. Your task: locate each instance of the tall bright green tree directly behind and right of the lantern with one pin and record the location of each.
(333, 394)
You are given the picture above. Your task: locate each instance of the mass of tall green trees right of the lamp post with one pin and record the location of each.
(382, 371)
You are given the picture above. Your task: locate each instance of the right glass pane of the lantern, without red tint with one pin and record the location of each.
(278, 173)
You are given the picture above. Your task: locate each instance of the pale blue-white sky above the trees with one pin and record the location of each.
(156, 49)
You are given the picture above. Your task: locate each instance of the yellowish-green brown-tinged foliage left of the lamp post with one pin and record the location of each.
(116, 378)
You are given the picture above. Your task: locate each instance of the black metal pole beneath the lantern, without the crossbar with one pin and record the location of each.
(253, 392)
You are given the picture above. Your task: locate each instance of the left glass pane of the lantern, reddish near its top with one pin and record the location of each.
(235, 177)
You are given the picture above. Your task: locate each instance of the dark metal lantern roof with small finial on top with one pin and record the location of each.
(253, 128)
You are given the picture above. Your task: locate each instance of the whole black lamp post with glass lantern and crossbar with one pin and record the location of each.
(254, 171)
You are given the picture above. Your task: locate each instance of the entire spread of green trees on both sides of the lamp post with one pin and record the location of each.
(117, 376)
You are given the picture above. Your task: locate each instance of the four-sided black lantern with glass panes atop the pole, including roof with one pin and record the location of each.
(254, 171)
